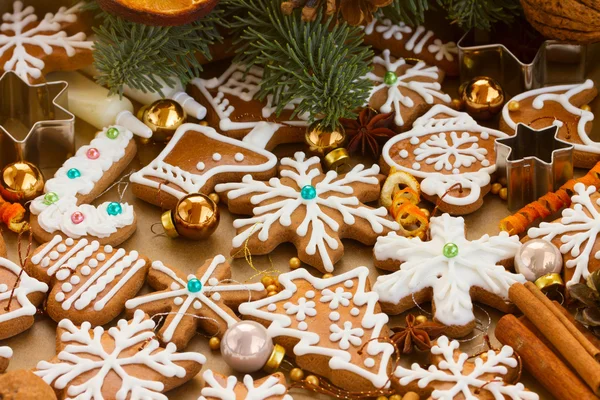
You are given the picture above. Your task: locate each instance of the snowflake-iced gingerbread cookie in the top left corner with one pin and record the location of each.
(33, 47)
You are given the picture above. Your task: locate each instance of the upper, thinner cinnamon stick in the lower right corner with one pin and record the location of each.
(561, 337)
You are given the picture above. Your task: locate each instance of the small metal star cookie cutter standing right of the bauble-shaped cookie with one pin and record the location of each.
(534, 162)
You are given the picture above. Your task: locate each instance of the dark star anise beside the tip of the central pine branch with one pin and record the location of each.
(369, 130)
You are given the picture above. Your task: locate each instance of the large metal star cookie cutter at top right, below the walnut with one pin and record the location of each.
(555, 62)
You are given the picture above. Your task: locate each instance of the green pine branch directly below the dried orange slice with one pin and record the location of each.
(137, 55)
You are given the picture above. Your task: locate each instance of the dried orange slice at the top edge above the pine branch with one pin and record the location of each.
(159, 12)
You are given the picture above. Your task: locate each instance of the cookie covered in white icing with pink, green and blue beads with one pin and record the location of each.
(63, 209)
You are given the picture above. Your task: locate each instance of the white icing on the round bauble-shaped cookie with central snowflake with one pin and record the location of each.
(437, 150)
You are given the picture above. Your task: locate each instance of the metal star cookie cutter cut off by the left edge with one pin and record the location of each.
(35, 125)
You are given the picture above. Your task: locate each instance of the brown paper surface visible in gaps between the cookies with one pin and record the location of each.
(38, 343)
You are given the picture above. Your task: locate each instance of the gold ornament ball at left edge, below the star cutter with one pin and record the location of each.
(21, 181)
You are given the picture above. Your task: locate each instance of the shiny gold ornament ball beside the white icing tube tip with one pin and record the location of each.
(163, 116)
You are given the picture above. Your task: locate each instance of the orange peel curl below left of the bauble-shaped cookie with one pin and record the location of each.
(401, 195)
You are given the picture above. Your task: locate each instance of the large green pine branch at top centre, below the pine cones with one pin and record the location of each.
(303, 60)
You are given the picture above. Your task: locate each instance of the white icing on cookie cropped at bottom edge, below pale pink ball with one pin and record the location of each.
(271, 387)
